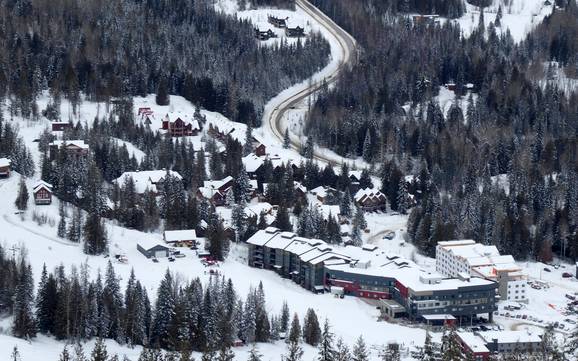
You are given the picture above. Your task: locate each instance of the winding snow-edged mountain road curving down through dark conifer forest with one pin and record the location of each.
(273, 115)
